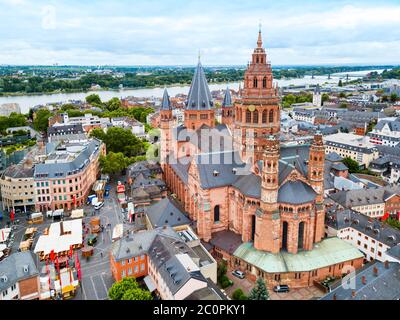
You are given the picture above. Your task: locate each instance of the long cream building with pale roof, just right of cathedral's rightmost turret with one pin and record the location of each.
(349, 145)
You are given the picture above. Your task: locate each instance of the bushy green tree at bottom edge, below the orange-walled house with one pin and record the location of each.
(128, 289)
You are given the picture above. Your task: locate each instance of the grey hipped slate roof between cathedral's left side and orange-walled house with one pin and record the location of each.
(166, 212)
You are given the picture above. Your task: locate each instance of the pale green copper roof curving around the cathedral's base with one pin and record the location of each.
(328, 252)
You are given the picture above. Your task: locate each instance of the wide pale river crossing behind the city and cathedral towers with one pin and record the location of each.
(28, 101)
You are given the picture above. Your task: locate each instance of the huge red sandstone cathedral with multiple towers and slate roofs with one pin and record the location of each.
(239, 178)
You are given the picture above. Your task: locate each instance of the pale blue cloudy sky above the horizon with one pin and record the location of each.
(172, 32)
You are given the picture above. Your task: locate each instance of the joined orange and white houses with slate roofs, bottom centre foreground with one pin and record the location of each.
(174, 263)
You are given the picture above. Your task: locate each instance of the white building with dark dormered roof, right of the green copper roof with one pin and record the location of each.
(372, 237)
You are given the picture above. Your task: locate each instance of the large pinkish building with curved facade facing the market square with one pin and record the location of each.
(66, 176)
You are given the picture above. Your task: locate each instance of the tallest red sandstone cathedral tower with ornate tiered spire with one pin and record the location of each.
(257, 112)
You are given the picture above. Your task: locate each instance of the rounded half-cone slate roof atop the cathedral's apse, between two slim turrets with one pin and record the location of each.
(296, 192)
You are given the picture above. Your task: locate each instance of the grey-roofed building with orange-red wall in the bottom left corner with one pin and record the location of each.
(19, 277)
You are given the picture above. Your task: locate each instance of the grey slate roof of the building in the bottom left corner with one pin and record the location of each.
(12, 268)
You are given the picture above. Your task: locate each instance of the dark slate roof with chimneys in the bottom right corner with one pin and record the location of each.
(384, 286)
